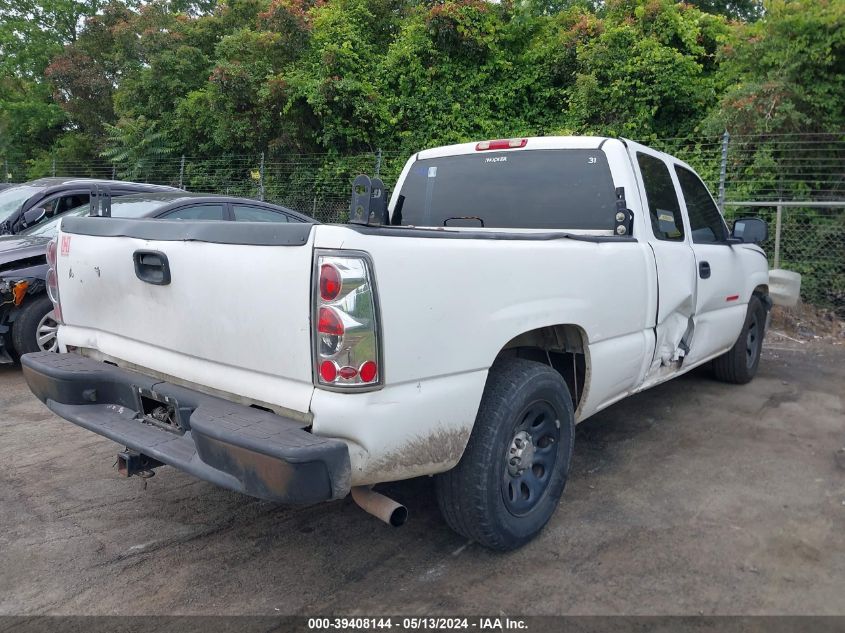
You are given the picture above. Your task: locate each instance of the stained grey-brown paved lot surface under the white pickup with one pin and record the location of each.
(695, 497)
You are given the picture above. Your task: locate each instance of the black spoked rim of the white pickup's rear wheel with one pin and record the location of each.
(530, 458)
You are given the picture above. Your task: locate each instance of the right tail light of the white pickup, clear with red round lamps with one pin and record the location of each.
(347, 355)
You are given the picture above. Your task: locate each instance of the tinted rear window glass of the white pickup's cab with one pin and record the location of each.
(537, 189)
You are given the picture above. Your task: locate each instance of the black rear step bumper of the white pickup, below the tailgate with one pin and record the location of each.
(238, 447)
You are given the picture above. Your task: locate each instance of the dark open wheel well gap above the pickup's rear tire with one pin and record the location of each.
(563, 347)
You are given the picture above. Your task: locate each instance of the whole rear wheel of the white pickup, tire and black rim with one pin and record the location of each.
(499, 495)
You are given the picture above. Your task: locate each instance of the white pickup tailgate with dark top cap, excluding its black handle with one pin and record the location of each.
(237, 300)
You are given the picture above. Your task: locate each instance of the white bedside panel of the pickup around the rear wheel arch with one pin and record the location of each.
(449, 306)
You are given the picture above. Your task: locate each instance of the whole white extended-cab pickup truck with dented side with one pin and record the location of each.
(520, 286)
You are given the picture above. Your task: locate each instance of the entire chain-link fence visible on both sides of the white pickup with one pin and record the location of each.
(743, 172)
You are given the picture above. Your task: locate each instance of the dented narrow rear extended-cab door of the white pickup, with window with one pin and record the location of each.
(668, 238)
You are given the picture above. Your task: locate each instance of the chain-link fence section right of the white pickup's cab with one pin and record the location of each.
(796, 182)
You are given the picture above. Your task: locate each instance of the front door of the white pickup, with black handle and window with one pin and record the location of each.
(719, 313)
